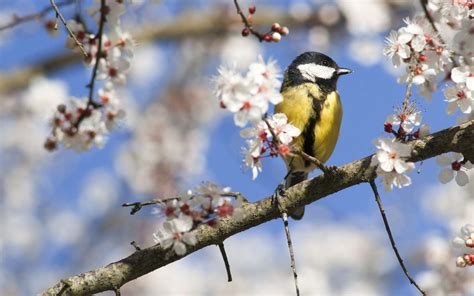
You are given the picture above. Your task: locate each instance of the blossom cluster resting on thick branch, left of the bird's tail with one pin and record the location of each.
(206, 204)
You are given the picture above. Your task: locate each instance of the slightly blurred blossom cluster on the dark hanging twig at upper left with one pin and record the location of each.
(86, 121)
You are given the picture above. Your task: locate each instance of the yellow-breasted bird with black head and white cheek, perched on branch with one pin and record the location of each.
(311, 103)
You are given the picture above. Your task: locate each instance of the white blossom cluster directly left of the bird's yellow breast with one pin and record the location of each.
(248, 97)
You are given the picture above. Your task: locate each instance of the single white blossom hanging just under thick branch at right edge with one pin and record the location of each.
(455, 167)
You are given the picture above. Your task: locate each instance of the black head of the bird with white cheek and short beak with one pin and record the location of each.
(314, 67)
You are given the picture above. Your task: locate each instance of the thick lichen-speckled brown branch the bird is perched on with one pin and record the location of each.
(116, 274)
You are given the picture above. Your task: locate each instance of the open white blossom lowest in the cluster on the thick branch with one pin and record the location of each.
(176, 233)
